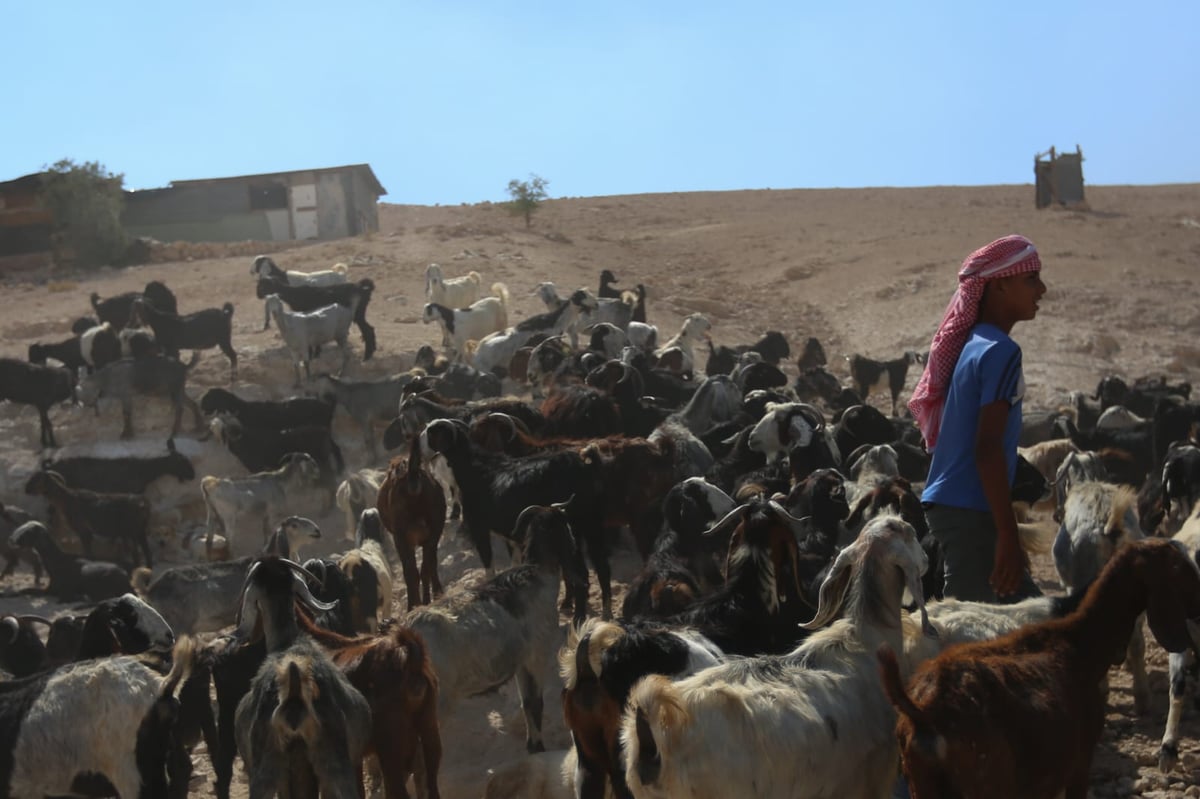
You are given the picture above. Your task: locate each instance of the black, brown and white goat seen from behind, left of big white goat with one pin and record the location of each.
(599, 665)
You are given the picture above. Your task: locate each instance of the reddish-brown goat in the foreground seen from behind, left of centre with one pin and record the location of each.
(394, 674)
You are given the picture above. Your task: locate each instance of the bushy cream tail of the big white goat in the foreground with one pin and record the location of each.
(653, 716)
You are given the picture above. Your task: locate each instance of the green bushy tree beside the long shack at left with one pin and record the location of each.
(87, 203)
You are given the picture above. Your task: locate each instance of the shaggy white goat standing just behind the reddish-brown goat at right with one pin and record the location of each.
(1099, 520)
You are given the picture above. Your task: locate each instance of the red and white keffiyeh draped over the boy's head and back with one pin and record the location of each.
(1005, 257)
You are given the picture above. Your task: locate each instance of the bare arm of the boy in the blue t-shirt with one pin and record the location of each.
(1011, 560)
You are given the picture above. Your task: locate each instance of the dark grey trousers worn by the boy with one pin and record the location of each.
(969, 551)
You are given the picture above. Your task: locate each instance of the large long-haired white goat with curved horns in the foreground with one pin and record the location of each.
(823, 702)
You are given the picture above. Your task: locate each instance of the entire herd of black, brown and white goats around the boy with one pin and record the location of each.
(785, 636)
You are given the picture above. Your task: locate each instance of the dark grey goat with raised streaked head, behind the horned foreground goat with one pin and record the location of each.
(196, 598)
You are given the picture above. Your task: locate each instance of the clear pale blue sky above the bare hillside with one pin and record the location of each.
(451, 100)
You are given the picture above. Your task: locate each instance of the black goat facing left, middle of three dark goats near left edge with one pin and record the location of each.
(88, 514)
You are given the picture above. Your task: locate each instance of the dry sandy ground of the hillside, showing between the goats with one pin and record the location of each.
(866, 271)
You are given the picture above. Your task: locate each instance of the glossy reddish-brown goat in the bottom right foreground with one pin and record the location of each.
(1021, 716)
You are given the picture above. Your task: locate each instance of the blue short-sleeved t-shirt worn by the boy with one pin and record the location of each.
(988, 370)
